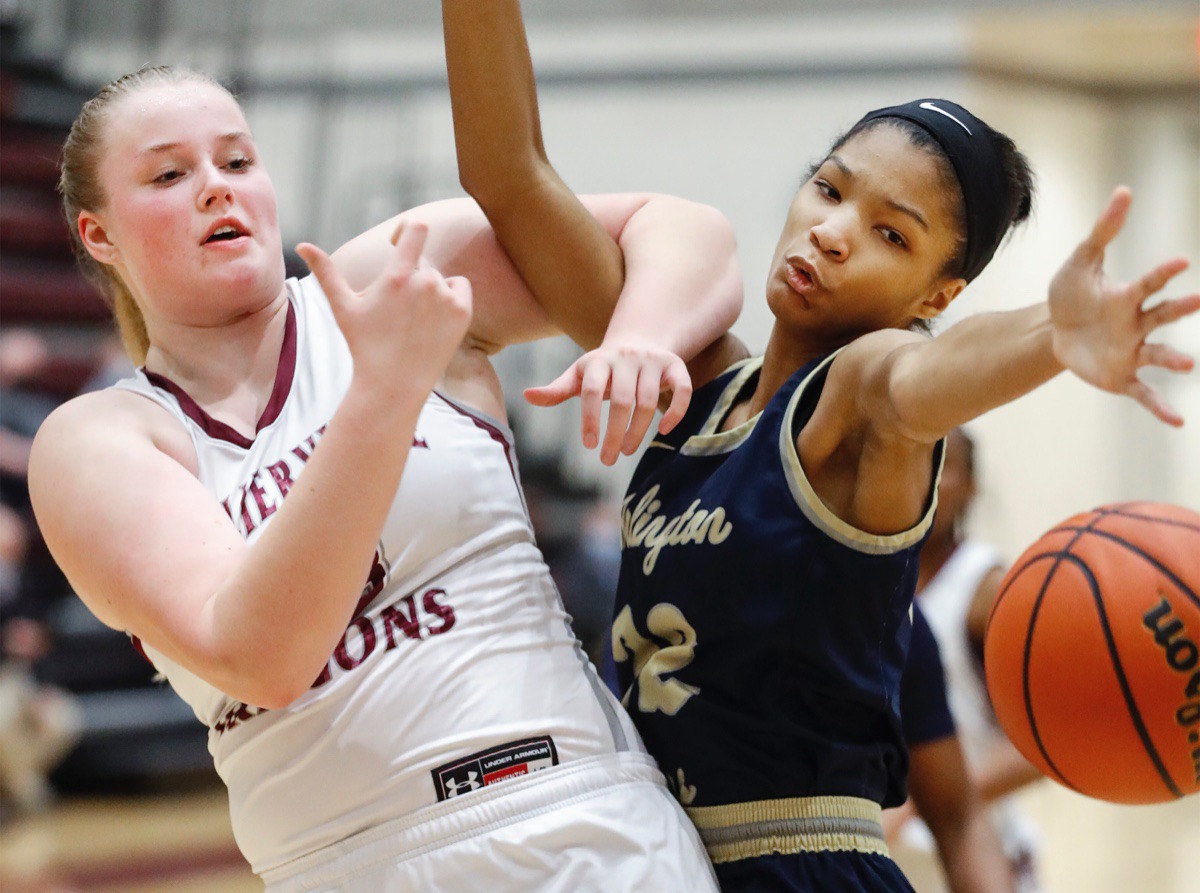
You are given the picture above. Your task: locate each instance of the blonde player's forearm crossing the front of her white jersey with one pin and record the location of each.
(280, 614)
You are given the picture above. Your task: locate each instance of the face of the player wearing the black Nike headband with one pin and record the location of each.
(866, 242)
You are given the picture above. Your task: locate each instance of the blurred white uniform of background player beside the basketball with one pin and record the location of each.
(946, 602)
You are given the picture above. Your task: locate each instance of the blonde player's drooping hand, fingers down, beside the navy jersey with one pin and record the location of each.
(632, 377)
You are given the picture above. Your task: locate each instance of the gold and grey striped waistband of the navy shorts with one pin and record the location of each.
(787, 826)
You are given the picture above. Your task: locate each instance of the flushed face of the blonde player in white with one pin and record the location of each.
(190, 213)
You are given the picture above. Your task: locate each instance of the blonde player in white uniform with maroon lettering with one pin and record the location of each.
(349, 720)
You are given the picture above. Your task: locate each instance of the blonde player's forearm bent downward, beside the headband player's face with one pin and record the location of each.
(683, 286)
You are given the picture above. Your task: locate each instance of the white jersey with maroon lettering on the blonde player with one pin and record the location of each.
(459, 669)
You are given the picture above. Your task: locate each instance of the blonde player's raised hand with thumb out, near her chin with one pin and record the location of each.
(407, 325)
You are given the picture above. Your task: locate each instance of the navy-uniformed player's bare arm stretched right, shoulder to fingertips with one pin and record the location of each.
(892, 395)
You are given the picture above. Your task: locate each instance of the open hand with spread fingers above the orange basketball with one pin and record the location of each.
(1101, 327)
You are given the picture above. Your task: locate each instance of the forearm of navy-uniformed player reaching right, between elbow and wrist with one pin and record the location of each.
(974, 367)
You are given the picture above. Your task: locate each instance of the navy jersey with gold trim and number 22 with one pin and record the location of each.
(759, 639)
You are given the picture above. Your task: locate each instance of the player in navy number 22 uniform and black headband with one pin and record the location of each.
(771, 540)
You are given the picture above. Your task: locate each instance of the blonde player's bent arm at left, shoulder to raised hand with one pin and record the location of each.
(151, 552)
